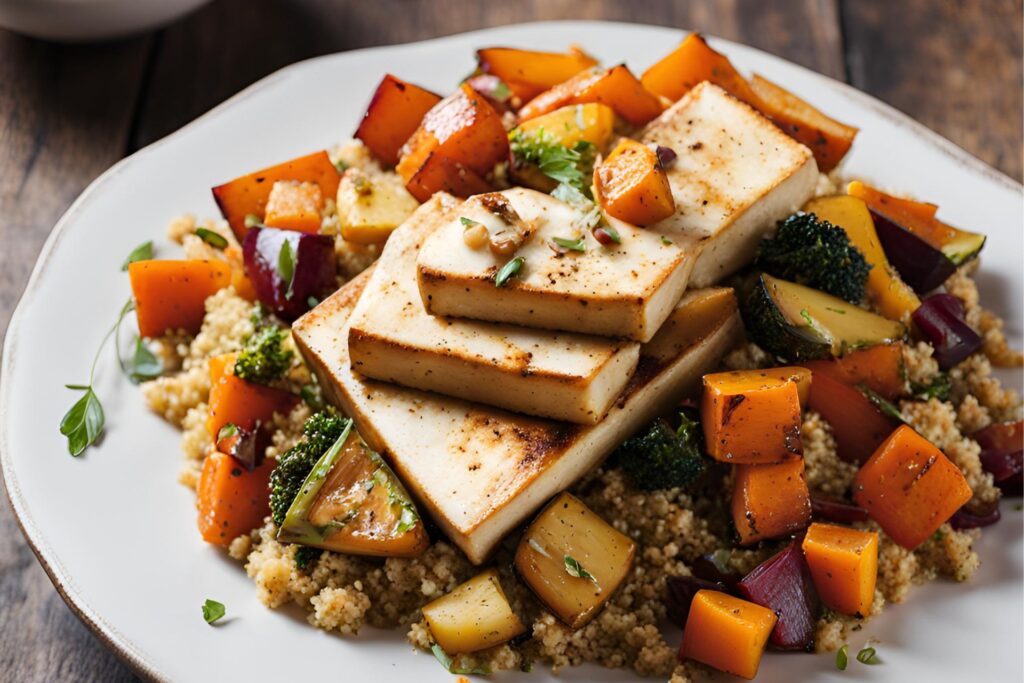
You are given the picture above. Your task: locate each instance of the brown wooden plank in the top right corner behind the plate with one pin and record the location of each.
(956, 67)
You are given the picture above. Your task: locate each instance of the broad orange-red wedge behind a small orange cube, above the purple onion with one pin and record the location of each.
(249, 194)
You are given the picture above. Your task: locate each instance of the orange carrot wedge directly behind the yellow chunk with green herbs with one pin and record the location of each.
(617, 88)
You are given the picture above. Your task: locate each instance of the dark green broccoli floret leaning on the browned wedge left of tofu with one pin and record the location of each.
(320, 433)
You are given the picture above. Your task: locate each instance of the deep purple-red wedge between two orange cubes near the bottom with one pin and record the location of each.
(784, 585)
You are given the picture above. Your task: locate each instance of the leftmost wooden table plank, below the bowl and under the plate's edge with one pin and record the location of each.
(65, 116)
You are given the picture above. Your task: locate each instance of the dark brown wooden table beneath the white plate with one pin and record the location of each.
(68, 113)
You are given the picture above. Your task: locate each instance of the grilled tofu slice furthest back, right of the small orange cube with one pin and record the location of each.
(736, 177)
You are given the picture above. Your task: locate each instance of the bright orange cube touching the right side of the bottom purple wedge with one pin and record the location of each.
(844, 564)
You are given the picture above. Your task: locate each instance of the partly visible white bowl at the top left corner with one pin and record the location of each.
(79, 21)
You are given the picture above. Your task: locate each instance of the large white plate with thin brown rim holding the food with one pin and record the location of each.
(117, 534)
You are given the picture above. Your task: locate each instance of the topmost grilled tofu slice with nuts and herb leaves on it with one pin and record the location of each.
(623, 290)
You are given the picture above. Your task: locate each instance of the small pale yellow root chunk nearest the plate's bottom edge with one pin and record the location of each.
(474, 617)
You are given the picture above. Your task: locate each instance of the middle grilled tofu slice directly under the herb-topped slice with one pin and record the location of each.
(554, 375)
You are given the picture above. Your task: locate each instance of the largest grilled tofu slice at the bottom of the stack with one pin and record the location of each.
(481, 473)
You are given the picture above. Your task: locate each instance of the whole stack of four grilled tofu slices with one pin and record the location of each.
(488, 401)
